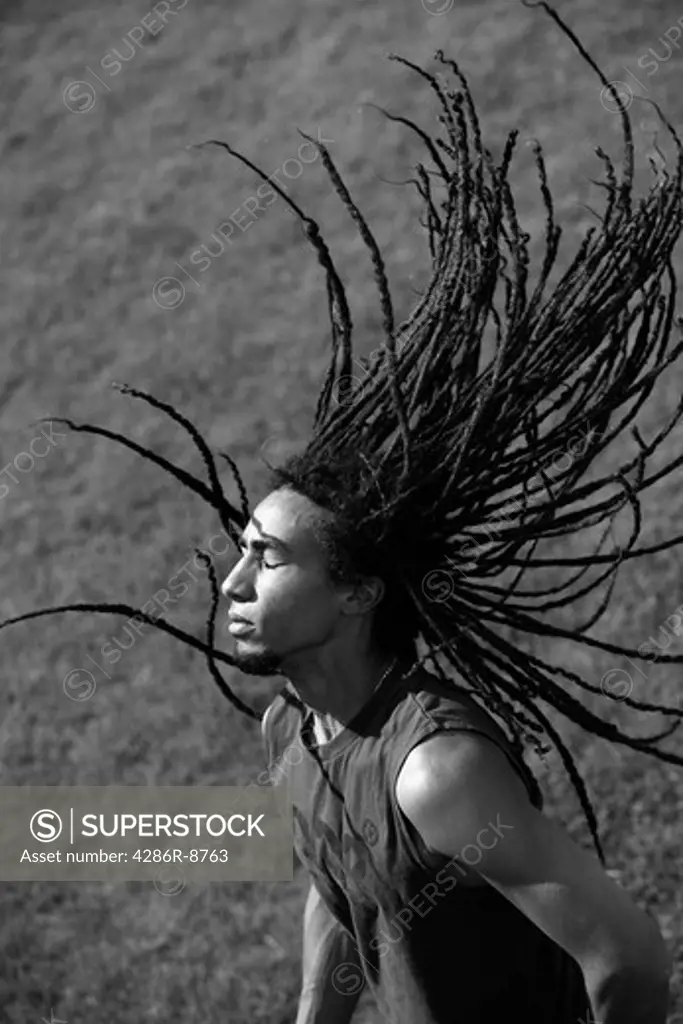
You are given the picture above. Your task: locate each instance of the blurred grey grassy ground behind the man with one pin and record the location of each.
(104, 201)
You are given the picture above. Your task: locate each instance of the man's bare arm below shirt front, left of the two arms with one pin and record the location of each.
(332, 973)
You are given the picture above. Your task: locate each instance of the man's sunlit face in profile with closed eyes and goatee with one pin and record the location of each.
(281, 586)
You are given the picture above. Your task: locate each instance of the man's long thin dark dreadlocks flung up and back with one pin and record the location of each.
(440, 454)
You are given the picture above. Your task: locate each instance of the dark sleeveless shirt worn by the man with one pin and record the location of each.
(433, 952)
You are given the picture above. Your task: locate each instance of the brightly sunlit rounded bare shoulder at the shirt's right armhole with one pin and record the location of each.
(455, 784)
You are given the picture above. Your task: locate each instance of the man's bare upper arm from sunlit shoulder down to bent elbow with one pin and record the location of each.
(461, 791)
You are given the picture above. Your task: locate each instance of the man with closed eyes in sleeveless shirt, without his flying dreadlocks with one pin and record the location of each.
(472, 906)
